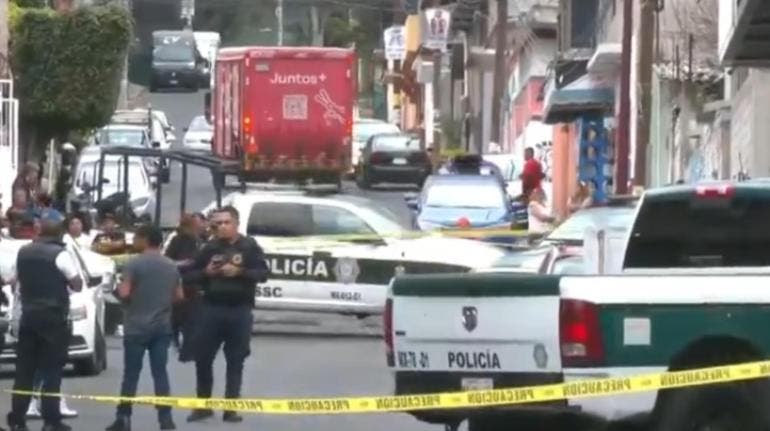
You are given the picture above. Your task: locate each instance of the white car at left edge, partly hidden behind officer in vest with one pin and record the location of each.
(88, 348)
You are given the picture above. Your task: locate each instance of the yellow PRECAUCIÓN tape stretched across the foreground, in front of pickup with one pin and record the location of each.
(454, 400)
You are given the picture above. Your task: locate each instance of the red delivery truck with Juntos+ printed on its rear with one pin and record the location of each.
(284, 114)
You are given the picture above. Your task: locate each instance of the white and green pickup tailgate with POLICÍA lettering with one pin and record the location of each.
(483, 322)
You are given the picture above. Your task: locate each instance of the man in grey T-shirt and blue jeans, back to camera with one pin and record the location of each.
(151, 284)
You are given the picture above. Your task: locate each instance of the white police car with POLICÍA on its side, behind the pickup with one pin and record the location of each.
(337, 253)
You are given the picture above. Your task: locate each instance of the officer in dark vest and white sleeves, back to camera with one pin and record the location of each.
(45, 271)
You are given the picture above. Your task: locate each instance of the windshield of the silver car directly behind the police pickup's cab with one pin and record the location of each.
(574, 228)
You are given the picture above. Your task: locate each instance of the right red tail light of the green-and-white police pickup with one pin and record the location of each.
(580, 334)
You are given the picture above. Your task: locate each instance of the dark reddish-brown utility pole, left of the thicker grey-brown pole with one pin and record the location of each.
(624, 114)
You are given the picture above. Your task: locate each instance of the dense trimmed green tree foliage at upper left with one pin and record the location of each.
(68, 66)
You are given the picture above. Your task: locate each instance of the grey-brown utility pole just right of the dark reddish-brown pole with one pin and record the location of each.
(646, 47)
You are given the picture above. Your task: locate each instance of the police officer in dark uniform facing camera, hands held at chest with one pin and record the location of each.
(227, 269)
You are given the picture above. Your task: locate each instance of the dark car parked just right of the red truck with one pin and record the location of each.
(393, 158)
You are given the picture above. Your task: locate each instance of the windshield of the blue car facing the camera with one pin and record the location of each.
(466, 195)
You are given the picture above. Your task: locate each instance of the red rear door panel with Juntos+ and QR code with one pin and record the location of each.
(302, 106)
